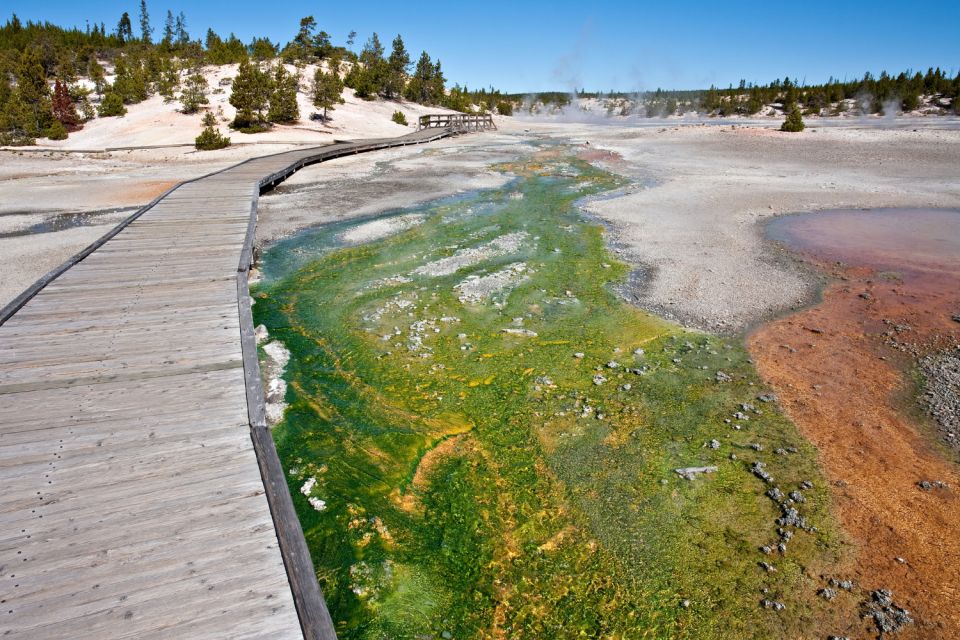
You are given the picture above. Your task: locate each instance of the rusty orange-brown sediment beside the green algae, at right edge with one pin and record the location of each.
(842, 370)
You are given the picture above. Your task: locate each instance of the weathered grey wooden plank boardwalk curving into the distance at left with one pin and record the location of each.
(141, 493)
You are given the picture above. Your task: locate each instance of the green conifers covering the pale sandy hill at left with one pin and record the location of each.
(41, 63)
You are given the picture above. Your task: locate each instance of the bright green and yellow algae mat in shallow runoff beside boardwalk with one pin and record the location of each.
(482, 438)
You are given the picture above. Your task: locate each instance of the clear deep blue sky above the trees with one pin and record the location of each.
(524, 45)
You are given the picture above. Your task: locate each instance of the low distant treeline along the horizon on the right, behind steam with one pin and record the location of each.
(869, 95)
